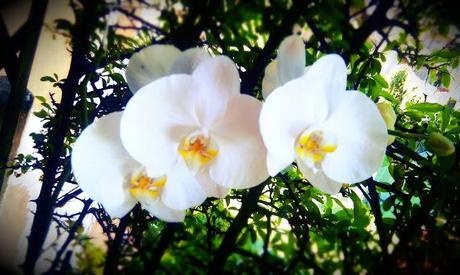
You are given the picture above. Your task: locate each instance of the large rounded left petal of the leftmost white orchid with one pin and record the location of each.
(101, 165)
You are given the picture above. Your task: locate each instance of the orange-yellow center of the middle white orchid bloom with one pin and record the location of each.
(197, 150)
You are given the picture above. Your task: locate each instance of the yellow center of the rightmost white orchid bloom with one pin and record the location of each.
(313, 146)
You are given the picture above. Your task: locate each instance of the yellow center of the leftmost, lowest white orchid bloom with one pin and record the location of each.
(143, 186)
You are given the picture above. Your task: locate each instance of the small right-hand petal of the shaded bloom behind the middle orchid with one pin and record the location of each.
(188, 60)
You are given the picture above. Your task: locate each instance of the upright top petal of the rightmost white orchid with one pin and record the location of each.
(329, 75)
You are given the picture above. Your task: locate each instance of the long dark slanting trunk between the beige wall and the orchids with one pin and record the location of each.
(45, 205)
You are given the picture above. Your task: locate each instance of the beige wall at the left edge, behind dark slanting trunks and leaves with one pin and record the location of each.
(52, 56)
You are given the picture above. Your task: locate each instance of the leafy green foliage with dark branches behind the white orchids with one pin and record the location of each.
(408, 225)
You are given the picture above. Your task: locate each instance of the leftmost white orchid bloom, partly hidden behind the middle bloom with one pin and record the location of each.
(109, 175)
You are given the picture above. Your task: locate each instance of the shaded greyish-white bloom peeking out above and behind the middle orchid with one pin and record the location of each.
(158, 61)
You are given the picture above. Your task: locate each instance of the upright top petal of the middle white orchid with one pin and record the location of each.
(219, 80)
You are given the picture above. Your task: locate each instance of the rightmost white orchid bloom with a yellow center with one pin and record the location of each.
(335, 136)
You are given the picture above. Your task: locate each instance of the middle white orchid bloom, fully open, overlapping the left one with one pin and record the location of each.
(198, 123)
